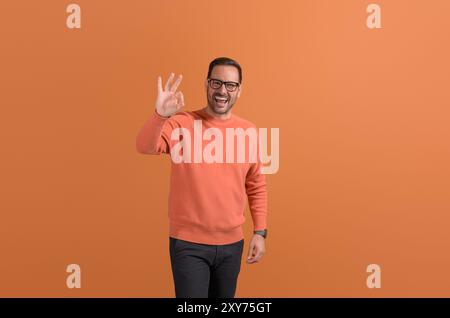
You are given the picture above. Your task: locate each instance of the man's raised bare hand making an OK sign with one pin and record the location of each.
(169, 101)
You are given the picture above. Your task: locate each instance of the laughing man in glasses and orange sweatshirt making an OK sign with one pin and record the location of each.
(207, 199)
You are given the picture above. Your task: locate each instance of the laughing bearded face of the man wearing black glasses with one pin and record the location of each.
(220, 100)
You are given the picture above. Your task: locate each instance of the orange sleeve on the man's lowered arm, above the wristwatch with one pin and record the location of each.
(255, 185)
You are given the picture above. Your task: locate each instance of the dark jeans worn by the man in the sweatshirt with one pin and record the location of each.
(201, 270)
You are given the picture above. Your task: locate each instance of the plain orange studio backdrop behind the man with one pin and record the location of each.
(364, 142)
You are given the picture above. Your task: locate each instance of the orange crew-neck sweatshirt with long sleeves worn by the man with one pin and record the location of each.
(207, 200)
